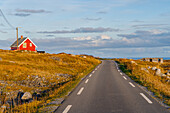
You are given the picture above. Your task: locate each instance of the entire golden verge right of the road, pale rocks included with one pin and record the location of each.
(154, 76)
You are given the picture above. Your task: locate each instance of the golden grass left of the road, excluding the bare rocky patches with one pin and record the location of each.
(17, 66)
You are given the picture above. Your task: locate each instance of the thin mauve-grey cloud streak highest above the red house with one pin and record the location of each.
(32, 11)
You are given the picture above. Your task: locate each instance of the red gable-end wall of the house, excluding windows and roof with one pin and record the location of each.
(33, 48)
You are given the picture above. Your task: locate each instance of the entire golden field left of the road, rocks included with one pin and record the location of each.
(29, 80)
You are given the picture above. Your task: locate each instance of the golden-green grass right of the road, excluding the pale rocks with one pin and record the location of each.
(153, 83)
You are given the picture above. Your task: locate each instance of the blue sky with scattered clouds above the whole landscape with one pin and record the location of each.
(102, 28)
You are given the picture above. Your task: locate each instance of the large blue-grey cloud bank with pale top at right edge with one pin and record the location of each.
(152, 38)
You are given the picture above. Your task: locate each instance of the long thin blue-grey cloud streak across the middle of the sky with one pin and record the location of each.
(82, 30)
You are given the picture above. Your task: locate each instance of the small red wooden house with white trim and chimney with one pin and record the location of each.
(24, 43)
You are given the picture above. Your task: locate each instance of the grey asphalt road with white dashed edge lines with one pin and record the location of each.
(107, 90)
